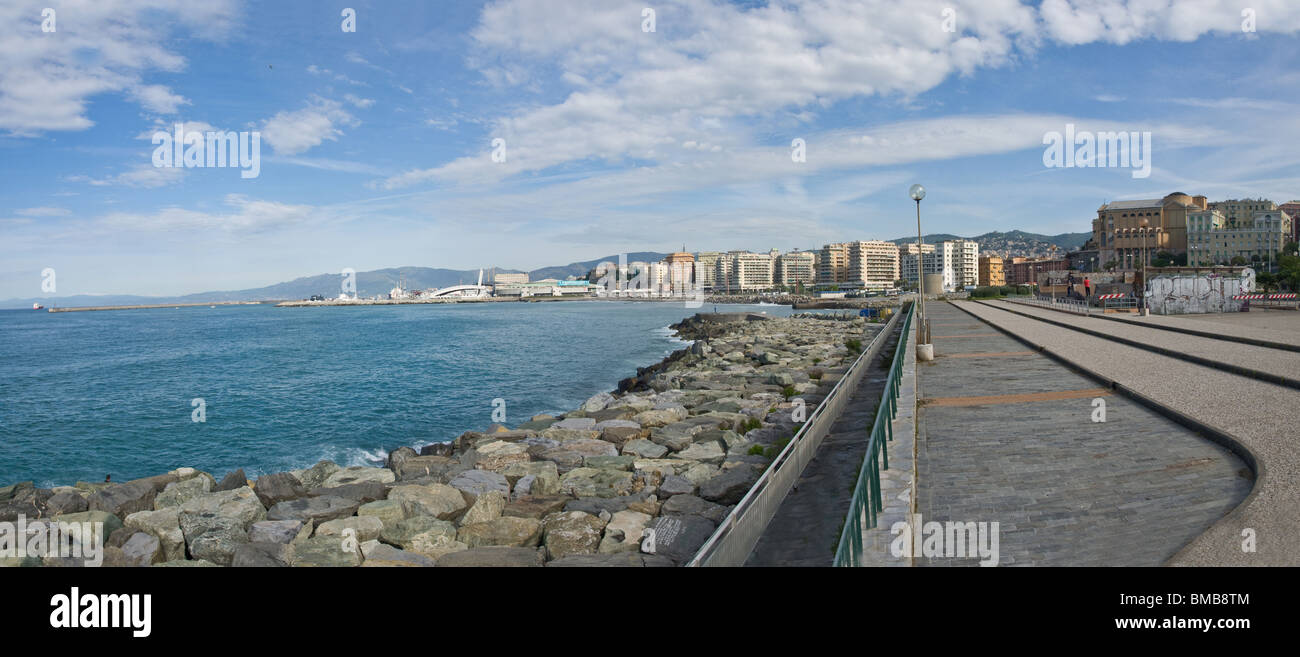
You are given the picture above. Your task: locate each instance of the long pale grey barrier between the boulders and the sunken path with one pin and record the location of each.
(736, 537)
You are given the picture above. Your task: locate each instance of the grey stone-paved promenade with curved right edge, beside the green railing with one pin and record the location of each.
(1007, 435)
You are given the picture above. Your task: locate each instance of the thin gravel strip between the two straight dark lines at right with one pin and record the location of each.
(1272, 361)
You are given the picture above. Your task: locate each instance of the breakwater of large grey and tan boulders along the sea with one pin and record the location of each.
(640, 477)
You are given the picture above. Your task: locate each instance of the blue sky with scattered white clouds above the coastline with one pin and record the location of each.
(531, 133)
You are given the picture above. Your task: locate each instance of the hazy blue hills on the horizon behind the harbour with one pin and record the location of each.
(369, 284)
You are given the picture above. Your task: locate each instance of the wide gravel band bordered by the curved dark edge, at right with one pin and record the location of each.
(1259, 416)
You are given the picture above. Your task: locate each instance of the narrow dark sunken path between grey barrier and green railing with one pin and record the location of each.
(807, 529)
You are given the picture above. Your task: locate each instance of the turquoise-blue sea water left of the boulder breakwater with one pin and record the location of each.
(84, 395)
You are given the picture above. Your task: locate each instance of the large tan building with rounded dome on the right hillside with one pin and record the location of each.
(1121, 237)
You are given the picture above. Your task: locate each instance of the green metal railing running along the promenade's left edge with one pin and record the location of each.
(866, 495)
